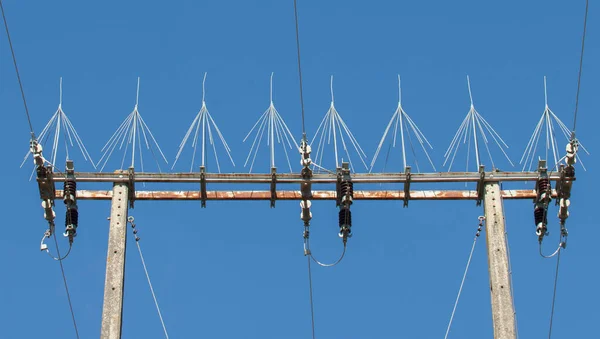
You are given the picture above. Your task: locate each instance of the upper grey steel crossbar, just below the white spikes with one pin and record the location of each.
(293, 178)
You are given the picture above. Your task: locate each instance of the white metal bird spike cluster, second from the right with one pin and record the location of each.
(473, 128)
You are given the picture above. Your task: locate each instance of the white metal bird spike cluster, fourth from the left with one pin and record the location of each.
(277, 131)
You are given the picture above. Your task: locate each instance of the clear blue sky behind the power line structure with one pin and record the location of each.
(237, 270)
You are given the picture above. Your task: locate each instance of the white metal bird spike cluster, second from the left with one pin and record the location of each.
(133, 133)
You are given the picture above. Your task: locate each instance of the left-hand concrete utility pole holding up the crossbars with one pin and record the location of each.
(112, 311)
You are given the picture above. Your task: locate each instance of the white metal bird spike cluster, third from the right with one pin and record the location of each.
(401, 122)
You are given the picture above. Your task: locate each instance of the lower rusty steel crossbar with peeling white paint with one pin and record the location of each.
(296, 195)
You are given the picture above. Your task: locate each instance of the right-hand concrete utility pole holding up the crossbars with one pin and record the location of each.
(503, 312)
